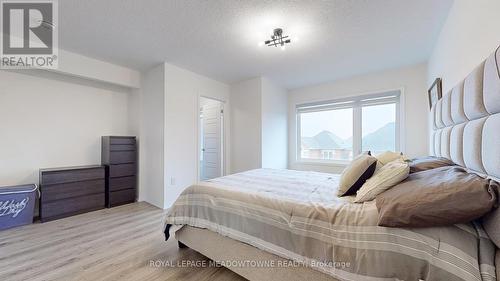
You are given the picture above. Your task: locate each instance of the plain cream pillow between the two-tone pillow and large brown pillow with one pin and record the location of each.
(388, 176)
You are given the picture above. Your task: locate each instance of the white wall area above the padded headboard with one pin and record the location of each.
(470, 34)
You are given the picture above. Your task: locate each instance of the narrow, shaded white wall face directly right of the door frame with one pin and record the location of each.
(246, 120)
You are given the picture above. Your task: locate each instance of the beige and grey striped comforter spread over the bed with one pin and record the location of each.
(297, 215)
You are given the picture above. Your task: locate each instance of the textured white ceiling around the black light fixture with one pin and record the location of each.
(219, 38)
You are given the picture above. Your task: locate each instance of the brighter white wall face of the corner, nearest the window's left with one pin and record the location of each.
(274, 125)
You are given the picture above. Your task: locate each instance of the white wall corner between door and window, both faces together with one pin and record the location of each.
(259, 125)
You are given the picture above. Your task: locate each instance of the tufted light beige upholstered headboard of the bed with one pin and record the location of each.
(466, 120)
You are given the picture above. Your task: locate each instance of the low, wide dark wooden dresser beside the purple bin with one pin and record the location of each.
(70, 191)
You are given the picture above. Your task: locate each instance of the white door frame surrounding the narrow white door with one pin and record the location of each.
(224, 134)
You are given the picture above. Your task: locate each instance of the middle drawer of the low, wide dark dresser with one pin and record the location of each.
(68, 190)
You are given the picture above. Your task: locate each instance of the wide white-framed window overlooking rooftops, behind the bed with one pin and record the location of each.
(340, 130)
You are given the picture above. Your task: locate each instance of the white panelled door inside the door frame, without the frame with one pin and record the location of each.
(211, 141)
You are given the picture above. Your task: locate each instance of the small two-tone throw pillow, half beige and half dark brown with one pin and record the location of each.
(355, 175)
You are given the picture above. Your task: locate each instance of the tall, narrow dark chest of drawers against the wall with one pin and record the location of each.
(119, 156)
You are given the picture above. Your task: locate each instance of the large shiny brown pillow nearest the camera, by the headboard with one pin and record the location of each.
(437, 197)
